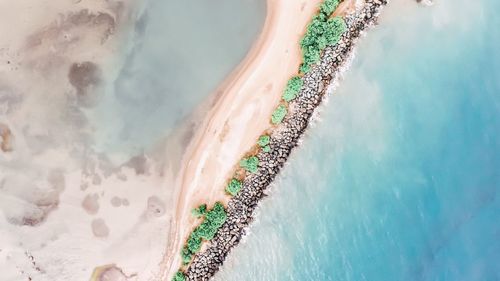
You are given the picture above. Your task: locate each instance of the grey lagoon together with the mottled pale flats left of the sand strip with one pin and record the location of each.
(74, 172)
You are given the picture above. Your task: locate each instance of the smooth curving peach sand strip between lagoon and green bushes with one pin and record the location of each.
(239, 115)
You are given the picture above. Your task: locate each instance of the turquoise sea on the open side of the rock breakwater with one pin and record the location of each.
(400, 179)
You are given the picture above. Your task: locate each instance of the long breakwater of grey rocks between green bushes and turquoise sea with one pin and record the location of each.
(284, 139)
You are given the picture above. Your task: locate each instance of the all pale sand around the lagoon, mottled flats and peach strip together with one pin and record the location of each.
(71, 39)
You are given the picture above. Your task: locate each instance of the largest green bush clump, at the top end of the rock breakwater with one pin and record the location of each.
(321, 32)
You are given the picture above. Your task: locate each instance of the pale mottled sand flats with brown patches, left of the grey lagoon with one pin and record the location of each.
(48, 229)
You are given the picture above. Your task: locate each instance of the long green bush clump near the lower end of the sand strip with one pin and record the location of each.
(214, 219)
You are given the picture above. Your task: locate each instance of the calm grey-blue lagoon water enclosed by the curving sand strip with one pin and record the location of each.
(180, 52)
